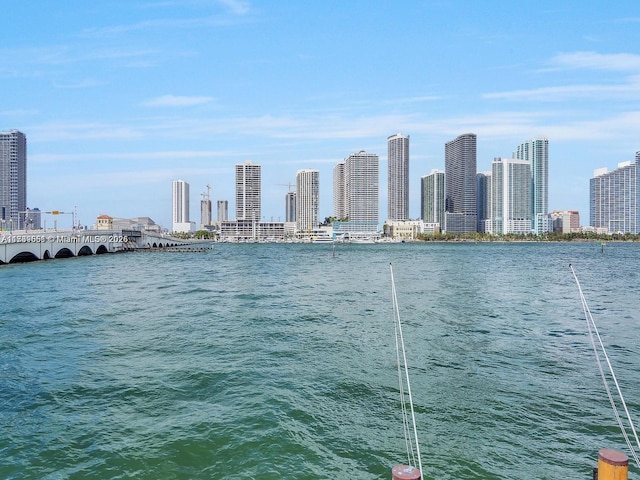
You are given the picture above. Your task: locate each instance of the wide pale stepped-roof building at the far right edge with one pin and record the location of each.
(613, 198)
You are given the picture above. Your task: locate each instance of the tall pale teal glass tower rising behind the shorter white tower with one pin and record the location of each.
(536, 152)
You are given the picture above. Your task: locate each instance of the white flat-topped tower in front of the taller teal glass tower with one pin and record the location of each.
(510, 196)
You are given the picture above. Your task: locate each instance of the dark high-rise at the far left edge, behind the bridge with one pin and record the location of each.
(13, 179)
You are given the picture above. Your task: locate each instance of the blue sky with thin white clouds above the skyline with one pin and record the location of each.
(119, 98)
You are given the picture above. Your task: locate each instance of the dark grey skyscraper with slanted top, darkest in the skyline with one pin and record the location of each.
(460, 184)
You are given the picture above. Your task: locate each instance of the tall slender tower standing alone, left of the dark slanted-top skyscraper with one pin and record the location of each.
(398, 177)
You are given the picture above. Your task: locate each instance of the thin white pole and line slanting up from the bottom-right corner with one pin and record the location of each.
(592, 328)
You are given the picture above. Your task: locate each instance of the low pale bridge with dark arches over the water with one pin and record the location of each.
(26, 246)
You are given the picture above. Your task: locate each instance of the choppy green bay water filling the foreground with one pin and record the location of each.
(266, 361)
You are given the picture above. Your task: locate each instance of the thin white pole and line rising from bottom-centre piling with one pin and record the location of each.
(405, 417)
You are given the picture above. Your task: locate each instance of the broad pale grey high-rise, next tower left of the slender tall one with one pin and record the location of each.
(361, 190)
